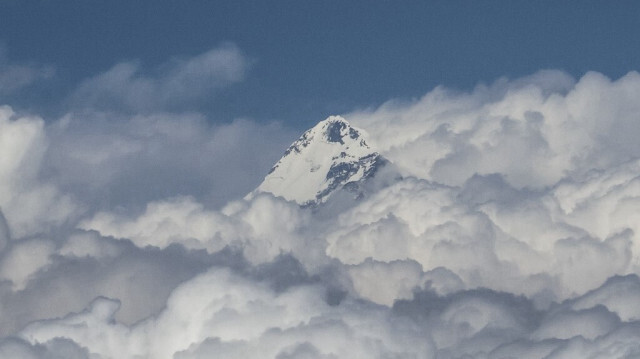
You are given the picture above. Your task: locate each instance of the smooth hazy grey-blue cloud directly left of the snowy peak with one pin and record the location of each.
(129, 161)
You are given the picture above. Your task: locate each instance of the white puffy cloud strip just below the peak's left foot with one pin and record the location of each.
(264, 227)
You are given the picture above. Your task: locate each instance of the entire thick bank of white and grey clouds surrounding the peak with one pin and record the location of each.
(512, 232)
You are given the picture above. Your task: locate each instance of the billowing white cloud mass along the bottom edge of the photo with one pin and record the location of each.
(221, 312)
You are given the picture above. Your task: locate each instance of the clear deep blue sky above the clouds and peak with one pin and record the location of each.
(309, 59)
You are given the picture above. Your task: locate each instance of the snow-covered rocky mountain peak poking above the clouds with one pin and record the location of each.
(330, 156)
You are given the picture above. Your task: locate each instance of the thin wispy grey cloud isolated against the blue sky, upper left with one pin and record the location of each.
(176, 84)
